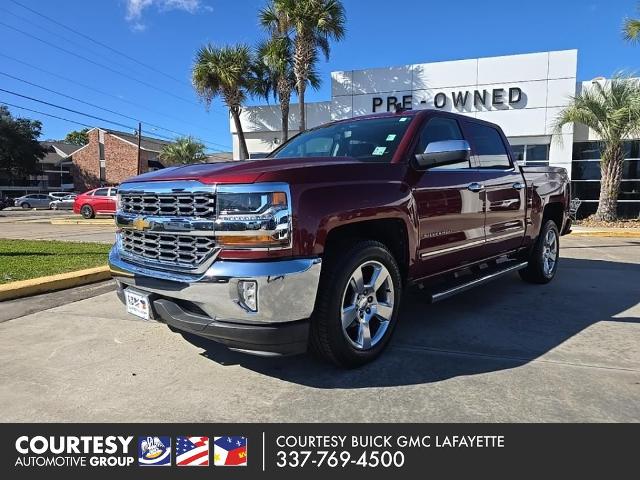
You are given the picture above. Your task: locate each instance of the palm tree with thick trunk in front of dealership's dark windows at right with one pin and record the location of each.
(612, 110)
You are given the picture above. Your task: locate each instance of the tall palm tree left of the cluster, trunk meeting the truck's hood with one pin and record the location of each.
(225, 72)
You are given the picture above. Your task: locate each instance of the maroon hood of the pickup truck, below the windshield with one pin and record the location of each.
(244, 171)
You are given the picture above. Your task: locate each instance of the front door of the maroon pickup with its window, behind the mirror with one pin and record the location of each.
(451, 216)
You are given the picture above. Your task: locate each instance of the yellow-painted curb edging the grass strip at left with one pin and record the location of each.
(25, 288)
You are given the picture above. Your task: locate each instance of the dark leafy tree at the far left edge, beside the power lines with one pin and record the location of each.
(20, 150)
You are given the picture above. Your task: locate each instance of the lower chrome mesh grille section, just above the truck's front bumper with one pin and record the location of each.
(187, 251)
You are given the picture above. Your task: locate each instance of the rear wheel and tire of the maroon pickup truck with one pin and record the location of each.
(543, 259)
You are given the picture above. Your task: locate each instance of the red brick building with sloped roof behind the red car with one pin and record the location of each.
(111, 157)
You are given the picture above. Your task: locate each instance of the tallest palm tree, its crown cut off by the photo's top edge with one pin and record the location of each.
(312, 23)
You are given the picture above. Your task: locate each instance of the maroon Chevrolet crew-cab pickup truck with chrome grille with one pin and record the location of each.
(314, 245)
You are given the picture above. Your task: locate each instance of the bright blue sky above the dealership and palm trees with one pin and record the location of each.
(131, 59)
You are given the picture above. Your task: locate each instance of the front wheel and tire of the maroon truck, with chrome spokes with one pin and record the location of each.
(357, 306)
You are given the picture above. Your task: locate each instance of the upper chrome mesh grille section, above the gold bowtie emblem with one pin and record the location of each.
(173, 204)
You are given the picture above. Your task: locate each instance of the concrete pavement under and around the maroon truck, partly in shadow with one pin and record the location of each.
(506, 352)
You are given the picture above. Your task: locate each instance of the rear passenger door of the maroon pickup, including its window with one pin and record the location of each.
(502, 187)
